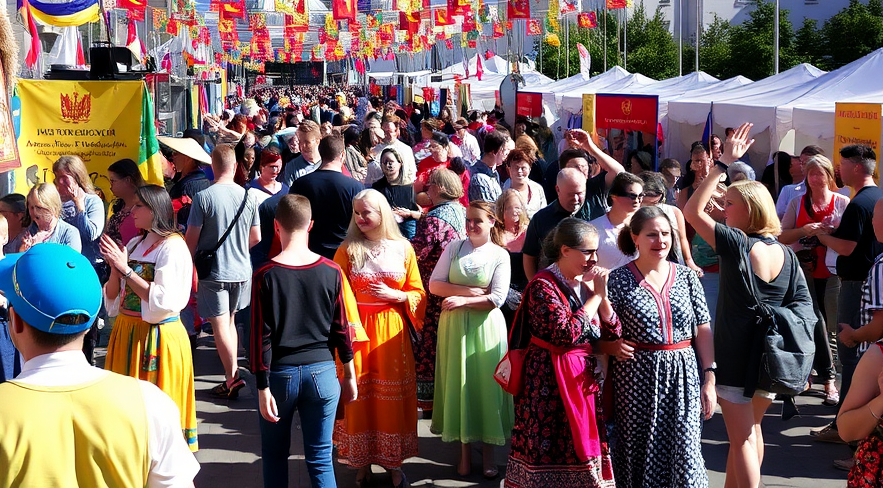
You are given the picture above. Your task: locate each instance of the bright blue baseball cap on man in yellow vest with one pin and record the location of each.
(48, 282)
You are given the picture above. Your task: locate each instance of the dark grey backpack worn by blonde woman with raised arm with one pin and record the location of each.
(787, 348)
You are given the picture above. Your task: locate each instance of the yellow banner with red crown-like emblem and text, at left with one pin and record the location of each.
(99, 121)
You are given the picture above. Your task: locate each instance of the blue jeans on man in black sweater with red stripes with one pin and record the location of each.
(313, 391)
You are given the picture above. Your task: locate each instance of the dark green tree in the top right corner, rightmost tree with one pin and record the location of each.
(852, 33)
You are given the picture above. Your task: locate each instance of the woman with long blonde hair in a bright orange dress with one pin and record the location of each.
(380, 427)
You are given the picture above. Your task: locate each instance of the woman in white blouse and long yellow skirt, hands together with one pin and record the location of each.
(149, 285)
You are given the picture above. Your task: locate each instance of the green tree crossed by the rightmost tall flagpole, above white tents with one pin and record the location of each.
(751, 43)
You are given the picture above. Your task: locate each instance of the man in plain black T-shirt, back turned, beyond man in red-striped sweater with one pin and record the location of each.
(332, 192)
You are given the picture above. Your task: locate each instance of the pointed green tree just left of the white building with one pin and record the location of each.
(651, 49)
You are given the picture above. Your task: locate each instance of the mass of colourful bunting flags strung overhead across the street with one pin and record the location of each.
(351, 29)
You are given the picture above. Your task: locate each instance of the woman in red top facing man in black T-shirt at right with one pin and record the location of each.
(817, 212)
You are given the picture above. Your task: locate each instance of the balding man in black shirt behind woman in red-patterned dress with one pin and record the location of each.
(571, 189)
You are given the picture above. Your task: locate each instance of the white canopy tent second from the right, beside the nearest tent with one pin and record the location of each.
(755, 102)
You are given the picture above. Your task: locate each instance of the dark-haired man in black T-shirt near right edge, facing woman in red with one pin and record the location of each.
(855, 243)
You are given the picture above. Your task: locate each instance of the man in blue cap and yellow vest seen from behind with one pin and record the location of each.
(62, 421)
